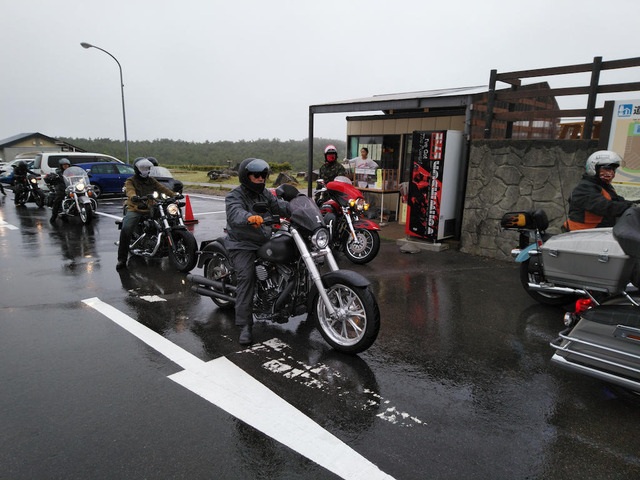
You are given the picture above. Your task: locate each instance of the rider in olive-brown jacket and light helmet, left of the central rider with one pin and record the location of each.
(139, 185)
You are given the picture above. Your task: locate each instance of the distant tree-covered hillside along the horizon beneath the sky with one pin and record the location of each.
(178, 152)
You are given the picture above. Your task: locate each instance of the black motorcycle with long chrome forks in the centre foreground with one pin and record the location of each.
(289, 282)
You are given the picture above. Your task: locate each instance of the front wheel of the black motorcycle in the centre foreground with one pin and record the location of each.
(356, 322)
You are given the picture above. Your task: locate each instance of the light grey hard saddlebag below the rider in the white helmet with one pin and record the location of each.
(591, 259)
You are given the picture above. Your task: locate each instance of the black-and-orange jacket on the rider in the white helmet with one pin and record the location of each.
(594, 203)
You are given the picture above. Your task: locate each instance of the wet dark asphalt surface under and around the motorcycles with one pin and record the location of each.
(458, 384)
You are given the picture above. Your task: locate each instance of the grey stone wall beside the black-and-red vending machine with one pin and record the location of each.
(511, 175)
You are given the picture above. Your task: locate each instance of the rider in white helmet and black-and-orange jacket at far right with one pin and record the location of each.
(594, 202)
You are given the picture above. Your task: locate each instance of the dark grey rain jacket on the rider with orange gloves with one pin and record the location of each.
(239, 205)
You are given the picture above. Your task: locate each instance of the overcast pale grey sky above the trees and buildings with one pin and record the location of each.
(213, 70)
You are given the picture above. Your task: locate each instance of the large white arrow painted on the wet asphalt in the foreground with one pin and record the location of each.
(227, 386)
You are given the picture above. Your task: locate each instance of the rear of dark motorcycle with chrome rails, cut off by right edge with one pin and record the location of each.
(602, 339)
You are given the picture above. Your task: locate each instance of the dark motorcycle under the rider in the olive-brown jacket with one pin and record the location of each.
(163, 233)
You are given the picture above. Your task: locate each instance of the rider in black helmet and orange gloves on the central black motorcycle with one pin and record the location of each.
(246, 235)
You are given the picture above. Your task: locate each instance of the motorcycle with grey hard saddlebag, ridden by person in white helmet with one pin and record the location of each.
(559, 269)
